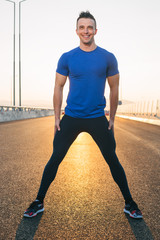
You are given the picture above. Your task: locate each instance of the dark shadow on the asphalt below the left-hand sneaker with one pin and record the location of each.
(28, 227)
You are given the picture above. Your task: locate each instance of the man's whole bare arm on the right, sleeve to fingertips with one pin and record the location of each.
(113, 82)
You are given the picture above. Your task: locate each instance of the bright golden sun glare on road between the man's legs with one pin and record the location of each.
(81, 161)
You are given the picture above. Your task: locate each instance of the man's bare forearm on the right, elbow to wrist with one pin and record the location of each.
(113, 102)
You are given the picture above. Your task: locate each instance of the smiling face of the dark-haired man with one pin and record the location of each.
(86, 30)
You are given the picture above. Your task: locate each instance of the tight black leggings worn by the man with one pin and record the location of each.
(69, 129)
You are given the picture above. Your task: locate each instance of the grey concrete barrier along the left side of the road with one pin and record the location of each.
(8, 113)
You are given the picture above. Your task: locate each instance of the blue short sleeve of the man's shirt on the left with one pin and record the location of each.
(62, 66)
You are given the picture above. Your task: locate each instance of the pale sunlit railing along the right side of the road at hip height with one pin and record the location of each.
(141, 109)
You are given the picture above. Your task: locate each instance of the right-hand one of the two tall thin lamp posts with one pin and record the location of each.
(20, 51)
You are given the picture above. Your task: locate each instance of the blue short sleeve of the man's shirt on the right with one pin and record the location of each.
(112, 68)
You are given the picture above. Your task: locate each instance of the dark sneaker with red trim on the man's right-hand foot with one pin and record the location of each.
(133, 210)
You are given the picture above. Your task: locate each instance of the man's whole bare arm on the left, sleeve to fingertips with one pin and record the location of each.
(57, 99)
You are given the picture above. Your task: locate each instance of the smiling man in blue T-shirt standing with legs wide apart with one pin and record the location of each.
(87, 67)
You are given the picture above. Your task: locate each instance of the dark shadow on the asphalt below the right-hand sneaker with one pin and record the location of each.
(140, 229)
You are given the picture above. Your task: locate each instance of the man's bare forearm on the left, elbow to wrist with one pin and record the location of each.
(57, 101)
